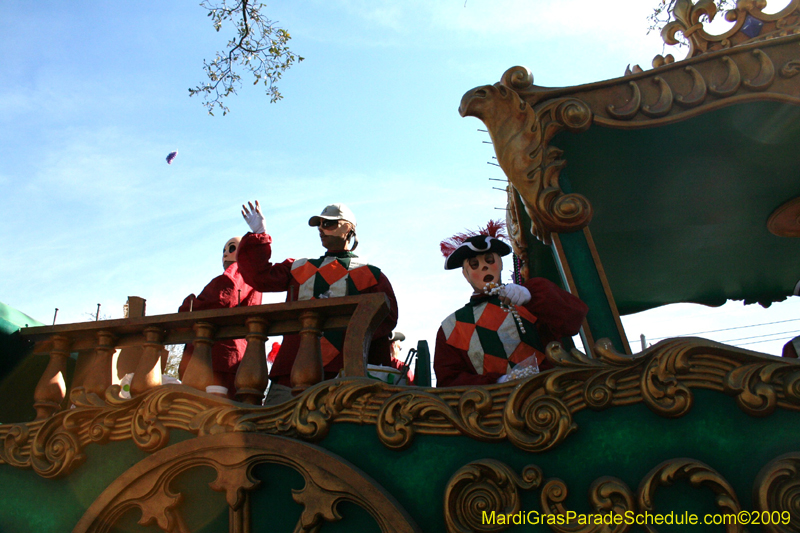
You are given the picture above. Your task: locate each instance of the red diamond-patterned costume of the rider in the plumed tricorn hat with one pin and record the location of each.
(494, 343)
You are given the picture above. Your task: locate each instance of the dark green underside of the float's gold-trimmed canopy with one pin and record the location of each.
(681, 211)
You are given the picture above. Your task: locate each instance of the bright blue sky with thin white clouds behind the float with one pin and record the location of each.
(95, 95)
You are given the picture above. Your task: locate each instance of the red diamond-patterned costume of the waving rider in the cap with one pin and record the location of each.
(335, 274)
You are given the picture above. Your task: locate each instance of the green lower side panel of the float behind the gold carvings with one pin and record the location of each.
(625, 442)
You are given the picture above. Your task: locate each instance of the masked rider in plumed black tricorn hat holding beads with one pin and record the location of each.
(502, 332)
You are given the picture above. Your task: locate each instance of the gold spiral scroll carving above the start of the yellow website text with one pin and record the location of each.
(485, 486)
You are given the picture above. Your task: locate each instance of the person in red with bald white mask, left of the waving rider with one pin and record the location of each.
(225, 291)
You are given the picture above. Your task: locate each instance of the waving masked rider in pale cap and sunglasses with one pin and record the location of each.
(339, 272)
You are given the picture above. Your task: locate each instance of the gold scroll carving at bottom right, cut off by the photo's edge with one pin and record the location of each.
(777, 488)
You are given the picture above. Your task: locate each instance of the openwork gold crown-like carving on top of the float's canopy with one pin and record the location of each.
(688, 21)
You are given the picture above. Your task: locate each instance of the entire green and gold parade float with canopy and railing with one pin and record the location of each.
(673, 184)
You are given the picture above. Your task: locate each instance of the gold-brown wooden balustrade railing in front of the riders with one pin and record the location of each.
(96, 342)
